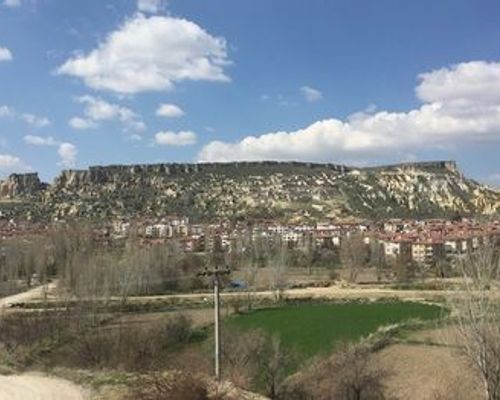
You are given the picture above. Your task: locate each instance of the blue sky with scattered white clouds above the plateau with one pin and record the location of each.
(100, 82)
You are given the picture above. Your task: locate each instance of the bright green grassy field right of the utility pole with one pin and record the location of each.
(314, 328)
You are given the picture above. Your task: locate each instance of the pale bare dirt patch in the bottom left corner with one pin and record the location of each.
(38, 387)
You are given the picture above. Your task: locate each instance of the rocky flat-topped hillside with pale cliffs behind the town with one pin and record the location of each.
(247, 190)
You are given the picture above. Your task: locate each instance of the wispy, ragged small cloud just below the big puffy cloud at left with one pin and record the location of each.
(98, 110)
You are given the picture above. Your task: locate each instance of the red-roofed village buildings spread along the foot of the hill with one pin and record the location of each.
(423, 242)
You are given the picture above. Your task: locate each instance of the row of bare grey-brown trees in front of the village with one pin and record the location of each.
(88, 267)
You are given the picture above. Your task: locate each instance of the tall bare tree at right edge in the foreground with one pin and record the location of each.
(478, 316)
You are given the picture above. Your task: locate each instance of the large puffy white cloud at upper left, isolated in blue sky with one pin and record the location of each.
(151, 54)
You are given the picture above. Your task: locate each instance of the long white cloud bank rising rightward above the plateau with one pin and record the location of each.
(461, 104)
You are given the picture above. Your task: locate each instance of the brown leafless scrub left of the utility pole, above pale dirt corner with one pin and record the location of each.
(78, 338)
